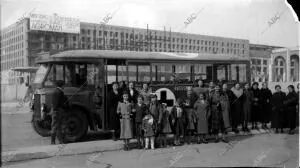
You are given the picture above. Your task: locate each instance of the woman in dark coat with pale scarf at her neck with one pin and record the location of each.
(237, 106)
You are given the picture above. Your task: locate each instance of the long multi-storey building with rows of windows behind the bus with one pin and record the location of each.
(22, 41)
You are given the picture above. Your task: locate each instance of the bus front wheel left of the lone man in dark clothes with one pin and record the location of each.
(42, 127)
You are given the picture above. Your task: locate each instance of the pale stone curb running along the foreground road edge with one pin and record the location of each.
(23, 154)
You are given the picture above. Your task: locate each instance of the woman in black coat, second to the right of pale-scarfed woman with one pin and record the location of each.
(255, 111)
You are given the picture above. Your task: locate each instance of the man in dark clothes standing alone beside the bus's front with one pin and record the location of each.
(59, 104)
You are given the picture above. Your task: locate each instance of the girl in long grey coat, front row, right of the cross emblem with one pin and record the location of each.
(202, 111)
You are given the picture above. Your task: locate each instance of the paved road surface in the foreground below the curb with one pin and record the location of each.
(261, 150)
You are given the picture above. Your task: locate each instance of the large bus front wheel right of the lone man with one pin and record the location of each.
(74, 126)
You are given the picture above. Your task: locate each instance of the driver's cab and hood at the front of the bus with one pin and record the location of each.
(81, 80)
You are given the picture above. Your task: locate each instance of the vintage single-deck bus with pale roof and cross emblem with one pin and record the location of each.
(168, 75)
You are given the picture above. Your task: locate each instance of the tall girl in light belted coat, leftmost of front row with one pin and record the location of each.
(124, 109)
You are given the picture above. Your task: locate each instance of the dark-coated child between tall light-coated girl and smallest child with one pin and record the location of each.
(140, 110)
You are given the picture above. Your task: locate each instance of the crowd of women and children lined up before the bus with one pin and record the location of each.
(203, 110)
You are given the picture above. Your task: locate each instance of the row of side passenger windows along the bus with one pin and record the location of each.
(169, 72)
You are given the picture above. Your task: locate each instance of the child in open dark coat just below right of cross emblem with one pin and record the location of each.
(178, 121)
